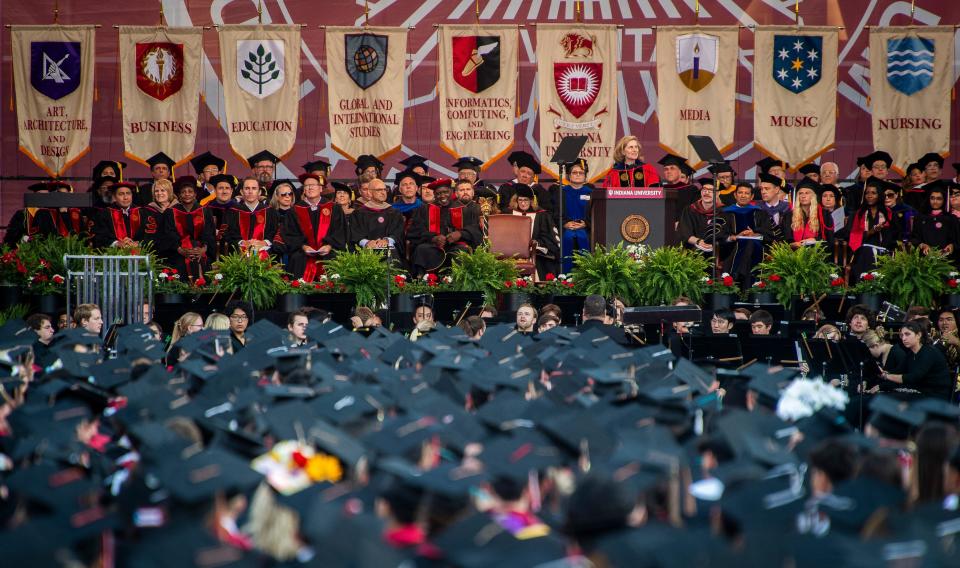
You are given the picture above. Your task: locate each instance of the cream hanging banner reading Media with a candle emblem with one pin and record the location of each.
(695, 94)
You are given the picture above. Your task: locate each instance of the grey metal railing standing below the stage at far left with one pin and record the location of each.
(120, 285)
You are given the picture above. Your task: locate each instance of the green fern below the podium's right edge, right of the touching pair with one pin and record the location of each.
(670, 272)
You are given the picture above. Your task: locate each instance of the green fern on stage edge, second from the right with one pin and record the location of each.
(789, 272)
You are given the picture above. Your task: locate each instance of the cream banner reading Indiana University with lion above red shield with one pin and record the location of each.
(577, 70)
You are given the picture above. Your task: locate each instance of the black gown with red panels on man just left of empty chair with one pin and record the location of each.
(432, 220)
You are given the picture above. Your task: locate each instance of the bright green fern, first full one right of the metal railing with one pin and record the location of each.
(256, 279)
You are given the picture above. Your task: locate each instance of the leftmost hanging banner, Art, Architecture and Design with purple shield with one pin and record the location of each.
(53, 75)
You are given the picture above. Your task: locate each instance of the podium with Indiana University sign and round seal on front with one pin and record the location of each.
(632, 215)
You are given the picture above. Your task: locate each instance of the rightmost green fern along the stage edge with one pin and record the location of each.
(912, 278)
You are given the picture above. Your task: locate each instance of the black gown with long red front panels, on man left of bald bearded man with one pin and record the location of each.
(324, 224)
